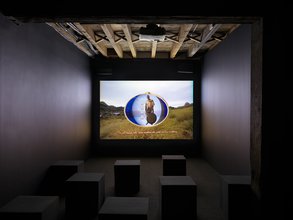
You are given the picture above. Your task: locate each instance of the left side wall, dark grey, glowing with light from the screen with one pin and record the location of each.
(45, 93)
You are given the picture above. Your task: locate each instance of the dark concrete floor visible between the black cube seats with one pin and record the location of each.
(206, 178)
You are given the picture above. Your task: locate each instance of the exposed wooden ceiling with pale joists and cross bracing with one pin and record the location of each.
(144, 40)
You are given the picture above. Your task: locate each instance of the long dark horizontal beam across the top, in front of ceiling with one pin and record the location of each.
(91, 18)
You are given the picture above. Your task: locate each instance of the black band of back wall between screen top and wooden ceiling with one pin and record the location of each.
(143, 69)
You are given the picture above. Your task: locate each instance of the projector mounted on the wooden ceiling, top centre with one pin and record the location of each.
(152, 32)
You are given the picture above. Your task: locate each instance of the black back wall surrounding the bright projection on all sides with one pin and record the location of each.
(145, 69)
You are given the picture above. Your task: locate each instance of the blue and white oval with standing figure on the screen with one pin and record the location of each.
(146, 110)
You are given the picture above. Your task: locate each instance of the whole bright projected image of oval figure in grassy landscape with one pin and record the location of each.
(146, 109)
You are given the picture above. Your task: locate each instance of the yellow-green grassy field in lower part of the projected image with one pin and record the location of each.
(178, 125)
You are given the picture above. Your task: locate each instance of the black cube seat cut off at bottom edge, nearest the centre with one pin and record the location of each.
(124, 208)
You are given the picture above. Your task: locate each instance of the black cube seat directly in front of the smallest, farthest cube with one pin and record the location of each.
(178, 198)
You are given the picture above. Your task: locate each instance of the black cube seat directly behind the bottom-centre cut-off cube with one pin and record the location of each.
(127, 177)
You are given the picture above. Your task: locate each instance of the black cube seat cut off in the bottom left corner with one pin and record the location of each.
(31, 208)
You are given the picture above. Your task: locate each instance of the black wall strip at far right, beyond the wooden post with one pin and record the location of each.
(277, 124)
